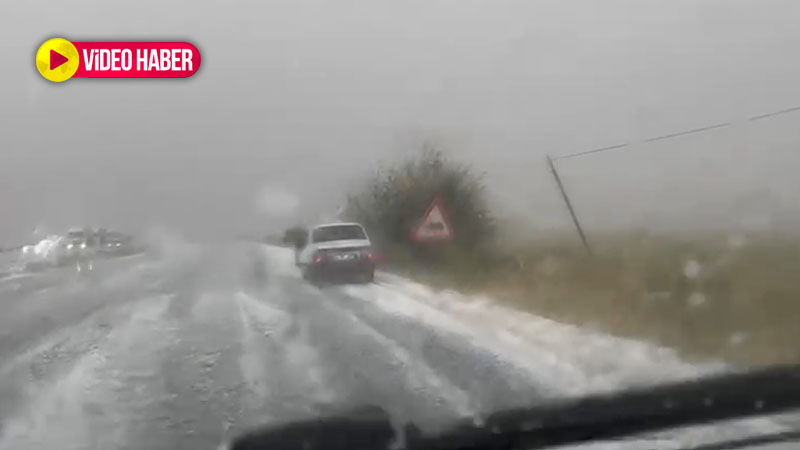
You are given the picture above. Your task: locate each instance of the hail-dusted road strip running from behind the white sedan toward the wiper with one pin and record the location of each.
(367, 368)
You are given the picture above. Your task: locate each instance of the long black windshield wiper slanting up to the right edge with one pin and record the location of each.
(609, 416)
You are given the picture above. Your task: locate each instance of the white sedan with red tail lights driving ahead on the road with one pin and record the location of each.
(336, 250)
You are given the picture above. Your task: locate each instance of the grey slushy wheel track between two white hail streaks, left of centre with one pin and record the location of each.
(200, 392)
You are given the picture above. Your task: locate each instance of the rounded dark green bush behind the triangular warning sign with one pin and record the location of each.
(394, 200)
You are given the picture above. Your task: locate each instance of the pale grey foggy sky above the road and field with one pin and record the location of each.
(299, 99)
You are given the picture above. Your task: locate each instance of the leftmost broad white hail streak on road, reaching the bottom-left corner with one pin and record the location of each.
(91, 402)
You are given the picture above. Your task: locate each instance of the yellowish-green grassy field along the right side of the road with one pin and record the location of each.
(735, 298)
